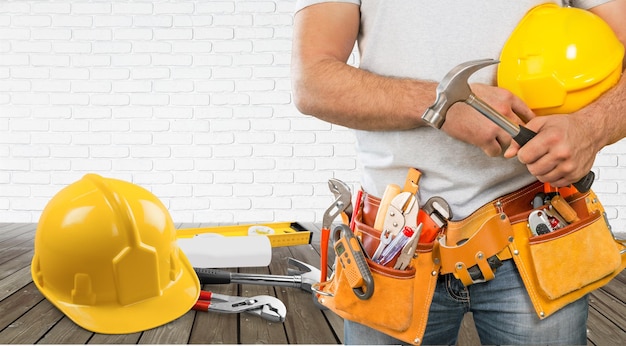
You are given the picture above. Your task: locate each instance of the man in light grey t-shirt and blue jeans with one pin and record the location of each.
(405, 48)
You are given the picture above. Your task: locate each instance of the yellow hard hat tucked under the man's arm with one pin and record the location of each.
(559, 59)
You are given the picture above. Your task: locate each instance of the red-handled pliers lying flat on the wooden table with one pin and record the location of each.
(267, 307)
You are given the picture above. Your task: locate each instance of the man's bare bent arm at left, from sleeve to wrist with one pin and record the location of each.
(328, 88)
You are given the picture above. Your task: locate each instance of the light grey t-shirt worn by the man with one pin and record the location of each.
(425, 39)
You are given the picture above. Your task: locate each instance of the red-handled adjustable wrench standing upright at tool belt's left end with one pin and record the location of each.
(342, 202)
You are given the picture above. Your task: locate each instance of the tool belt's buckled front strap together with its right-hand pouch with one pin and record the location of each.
(557, 267)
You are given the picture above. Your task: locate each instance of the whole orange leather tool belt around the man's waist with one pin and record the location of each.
(557, 268)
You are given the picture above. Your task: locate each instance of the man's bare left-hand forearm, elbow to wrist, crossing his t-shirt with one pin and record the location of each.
(338, 93)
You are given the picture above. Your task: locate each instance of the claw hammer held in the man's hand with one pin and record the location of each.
(455, 88)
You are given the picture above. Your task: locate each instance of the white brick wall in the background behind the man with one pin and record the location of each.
(190, 99)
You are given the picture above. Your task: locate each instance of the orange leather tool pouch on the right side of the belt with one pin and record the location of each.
(562, 266)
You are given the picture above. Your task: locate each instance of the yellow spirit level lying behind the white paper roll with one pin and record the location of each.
(279, 233)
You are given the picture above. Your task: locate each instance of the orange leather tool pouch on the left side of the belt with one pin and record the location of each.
(401, 299)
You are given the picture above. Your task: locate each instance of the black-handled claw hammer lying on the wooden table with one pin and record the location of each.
(303, 278)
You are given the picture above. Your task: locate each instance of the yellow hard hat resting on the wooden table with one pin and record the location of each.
(106, 256)
